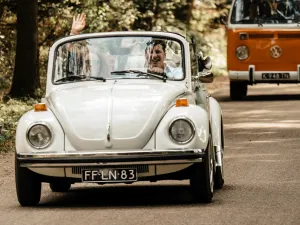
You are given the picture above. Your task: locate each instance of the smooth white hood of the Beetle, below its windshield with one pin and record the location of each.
(112, 116)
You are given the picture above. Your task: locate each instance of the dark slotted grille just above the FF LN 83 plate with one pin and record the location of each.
(139, 168)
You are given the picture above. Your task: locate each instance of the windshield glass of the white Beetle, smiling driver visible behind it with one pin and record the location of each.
(119, 58)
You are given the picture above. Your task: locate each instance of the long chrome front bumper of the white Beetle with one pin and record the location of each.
(102, 158)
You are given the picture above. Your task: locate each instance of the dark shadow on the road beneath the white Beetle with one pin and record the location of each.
(121, 196)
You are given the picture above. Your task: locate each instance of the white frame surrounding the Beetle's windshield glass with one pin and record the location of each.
(83, 37)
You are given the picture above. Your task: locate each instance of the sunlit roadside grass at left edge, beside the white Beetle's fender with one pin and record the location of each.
(10, 113)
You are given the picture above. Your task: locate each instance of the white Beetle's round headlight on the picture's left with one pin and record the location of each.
(39, 136)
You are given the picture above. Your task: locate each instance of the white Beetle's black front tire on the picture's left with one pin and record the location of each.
(28, 186)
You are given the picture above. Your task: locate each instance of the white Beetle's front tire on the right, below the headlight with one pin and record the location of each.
(202, 178)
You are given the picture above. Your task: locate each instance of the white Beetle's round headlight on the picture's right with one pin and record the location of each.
(182, 131)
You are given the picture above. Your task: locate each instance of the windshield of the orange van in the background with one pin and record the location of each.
(265, 11)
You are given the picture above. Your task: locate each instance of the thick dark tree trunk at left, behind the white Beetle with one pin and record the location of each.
(25, 80)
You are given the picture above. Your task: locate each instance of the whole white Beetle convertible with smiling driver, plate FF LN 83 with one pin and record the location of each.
(122, 107)
